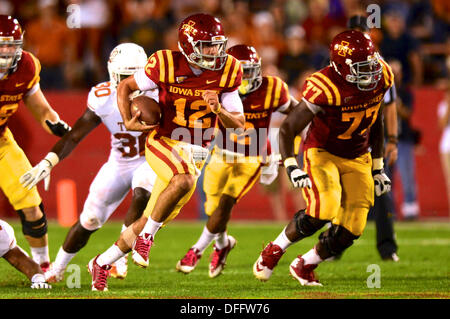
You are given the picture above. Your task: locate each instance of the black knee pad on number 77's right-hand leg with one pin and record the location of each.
(335, 240)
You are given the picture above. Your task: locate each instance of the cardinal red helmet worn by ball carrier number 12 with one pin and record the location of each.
(202, 41)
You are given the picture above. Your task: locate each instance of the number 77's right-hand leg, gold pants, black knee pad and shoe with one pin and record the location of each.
(349, 223)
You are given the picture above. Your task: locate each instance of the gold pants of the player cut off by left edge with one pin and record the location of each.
(13, 164)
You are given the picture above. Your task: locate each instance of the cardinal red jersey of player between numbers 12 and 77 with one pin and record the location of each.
(258, 108)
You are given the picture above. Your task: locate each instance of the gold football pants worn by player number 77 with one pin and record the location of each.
(342, 189)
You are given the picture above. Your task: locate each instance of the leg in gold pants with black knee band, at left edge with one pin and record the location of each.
(27, 203)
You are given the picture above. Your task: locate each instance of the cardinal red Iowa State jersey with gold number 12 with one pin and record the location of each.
(180, 95)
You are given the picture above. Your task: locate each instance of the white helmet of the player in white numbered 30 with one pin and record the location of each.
(124, 60)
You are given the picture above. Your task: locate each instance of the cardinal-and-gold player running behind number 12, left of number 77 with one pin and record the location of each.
(237, 160)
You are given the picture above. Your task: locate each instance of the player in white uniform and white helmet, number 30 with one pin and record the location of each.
(126, 166)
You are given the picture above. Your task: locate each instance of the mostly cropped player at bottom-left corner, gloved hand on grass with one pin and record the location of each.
(17, 257)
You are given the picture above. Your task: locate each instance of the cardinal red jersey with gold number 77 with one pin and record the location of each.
(345, 113)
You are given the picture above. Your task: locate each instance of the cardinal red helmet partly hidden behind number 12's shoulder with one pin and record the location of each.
(251, 66)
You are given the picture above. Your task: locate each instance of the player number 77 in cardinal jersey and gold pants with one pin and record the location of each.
(342, 103)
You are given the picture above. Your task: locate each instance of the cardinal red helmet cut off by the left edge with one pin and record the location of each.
(11, 42)
